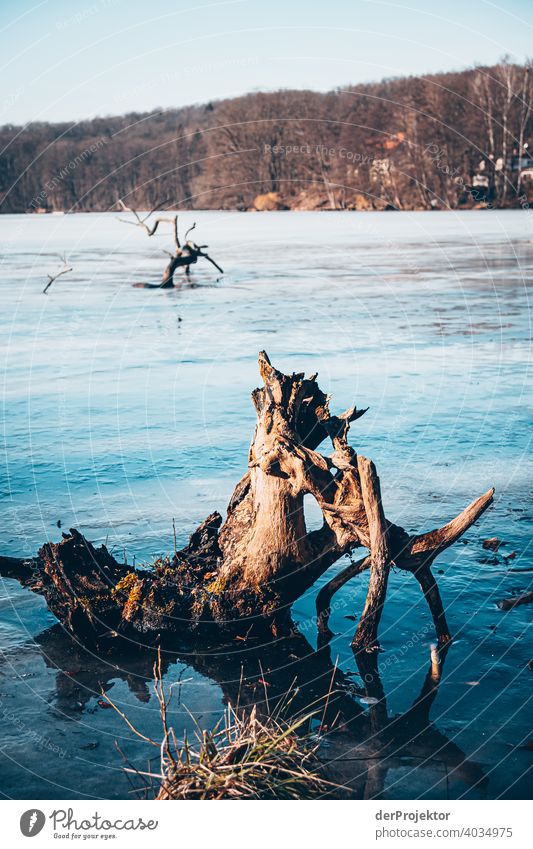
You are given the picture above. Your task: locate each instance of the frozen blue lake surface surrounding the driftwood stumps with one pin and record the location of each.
(124, 408)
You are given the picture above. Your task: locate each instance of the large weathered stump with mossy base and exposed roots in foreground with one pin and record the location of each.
(244, 574)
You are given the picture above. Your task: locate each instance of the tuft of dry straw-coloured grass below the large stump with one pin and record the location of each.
(245, 756)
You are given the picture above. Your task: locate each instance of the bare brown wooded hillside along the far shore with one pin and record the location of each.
(439, 141)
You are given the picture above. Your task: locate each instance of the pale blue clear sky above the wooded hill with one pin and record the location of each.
(66, 61)
